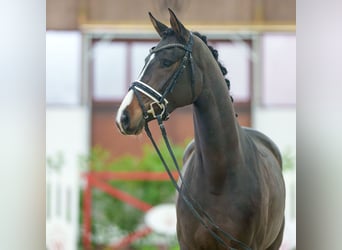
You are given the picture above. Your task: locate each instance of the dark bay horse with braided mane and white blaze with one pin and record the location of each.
(233, 174)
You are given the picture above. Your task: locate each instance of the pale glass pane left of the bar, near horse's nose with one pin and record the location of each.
(110, 70)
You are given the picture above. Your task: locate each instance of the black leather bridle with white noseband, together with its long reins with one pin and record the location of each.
(161, 102)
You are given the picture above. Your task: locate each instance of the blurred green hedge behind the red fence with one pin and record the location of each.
(111, 216)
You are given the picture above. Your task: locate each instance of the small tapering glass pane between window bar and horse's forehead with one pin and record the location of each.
(140, 51)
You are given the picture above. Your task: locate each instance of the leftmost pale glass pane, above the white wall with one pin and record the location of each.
(63, 67)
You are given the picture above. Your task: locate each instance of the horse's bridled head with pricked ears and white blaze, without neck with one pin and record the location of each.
(167, 80)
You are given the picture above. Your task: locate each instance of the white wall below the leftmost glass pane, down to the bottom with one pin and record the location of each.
(67, 139)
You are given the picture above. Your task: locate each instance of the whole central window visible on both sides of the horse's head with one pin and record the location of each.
(118, 63)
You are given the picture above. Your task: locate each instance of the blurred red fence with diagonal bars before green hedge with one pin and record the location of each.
(100, 180)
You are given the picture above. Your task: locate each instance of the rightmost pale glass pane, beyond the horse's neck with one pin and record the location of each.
(279, 69)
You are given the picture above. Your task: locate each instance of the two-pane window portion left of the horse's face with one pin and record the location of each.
(116, 65)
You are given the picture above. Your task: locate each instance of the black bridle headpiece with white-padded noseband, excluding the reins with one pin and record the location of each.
(158, 99)
